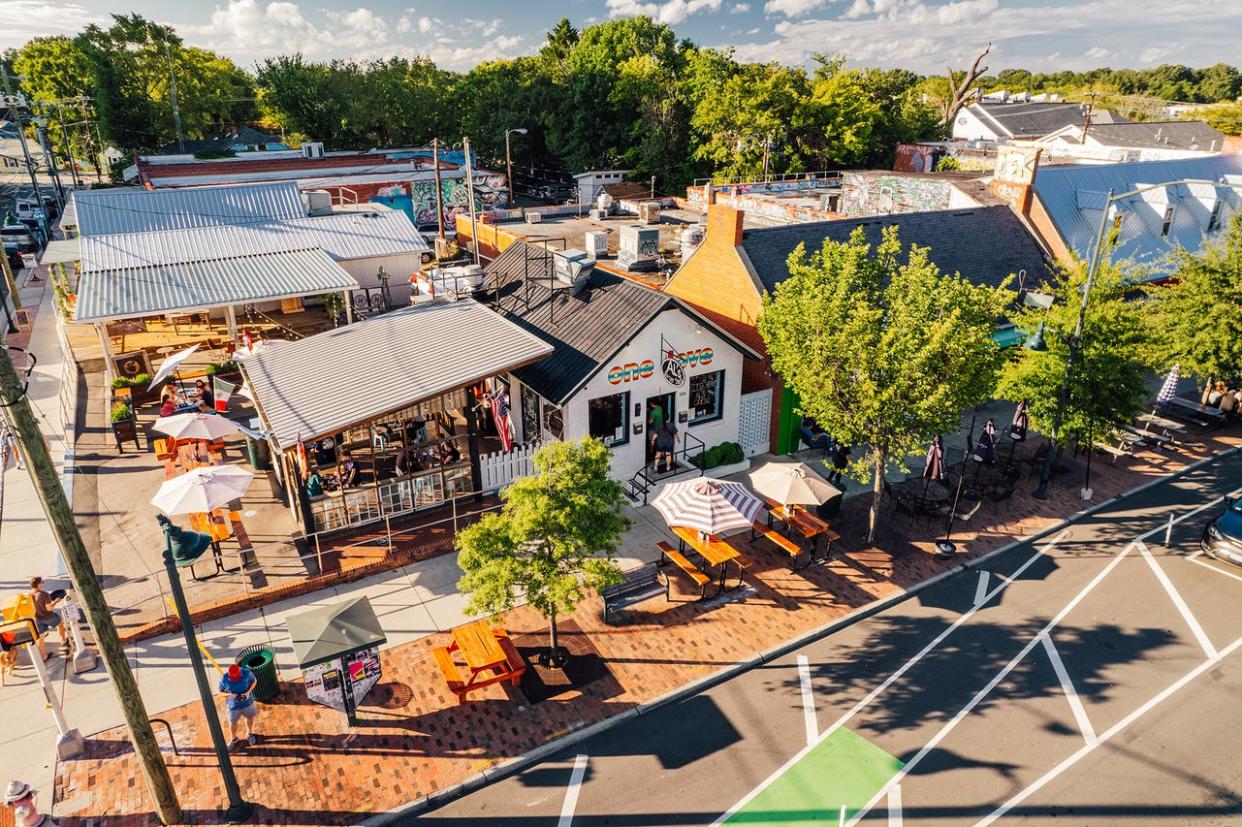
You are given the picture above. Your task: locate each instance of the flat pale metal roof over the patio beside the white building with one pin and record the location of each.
(332, 381)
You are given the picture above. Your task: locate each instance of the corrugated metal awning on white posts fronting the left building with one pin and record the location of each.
(134, 292)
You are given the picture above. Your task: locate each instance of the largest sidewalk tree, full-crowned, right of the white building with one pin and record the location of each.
(882, 350)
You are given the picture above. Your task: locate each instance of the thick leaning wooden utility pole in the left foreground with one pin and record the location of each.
(90, 595)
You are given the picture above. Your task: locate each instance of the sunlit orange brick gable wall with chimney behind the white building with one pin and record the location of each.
(715, 281)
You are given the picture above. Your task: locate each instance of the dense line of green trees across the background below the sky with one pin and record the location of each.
(620, 94)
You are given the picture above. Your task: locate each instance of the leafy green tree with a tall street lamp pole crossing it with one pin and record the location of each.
(1107, 386)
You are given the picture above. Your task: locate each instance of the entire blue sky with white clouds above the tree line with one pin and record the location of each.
(922, 35)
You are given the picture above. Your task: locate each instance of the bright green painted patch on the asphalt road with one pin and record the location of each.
(843, 769)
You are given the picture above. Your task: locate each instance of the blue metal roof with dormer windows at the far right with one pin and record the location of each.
(1075, 199)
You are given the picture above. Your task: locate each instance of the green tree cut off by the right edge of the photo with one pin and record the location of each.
(1195, 320)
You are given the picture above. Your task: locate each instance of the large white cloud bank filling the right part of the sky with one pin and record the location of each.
(925, 35)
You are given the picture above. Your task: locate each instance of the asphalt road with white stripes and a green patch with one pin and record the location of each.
(1089, 679)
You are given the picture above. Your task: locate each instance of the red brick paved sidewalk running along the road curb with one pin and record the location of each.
(415, 739)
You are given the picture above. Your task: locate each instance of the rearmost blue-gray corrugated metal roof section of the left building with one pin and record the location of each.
(138, 210)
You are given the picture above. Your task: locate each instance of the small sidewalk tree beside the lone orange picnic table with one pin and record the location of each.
(557, 535)
